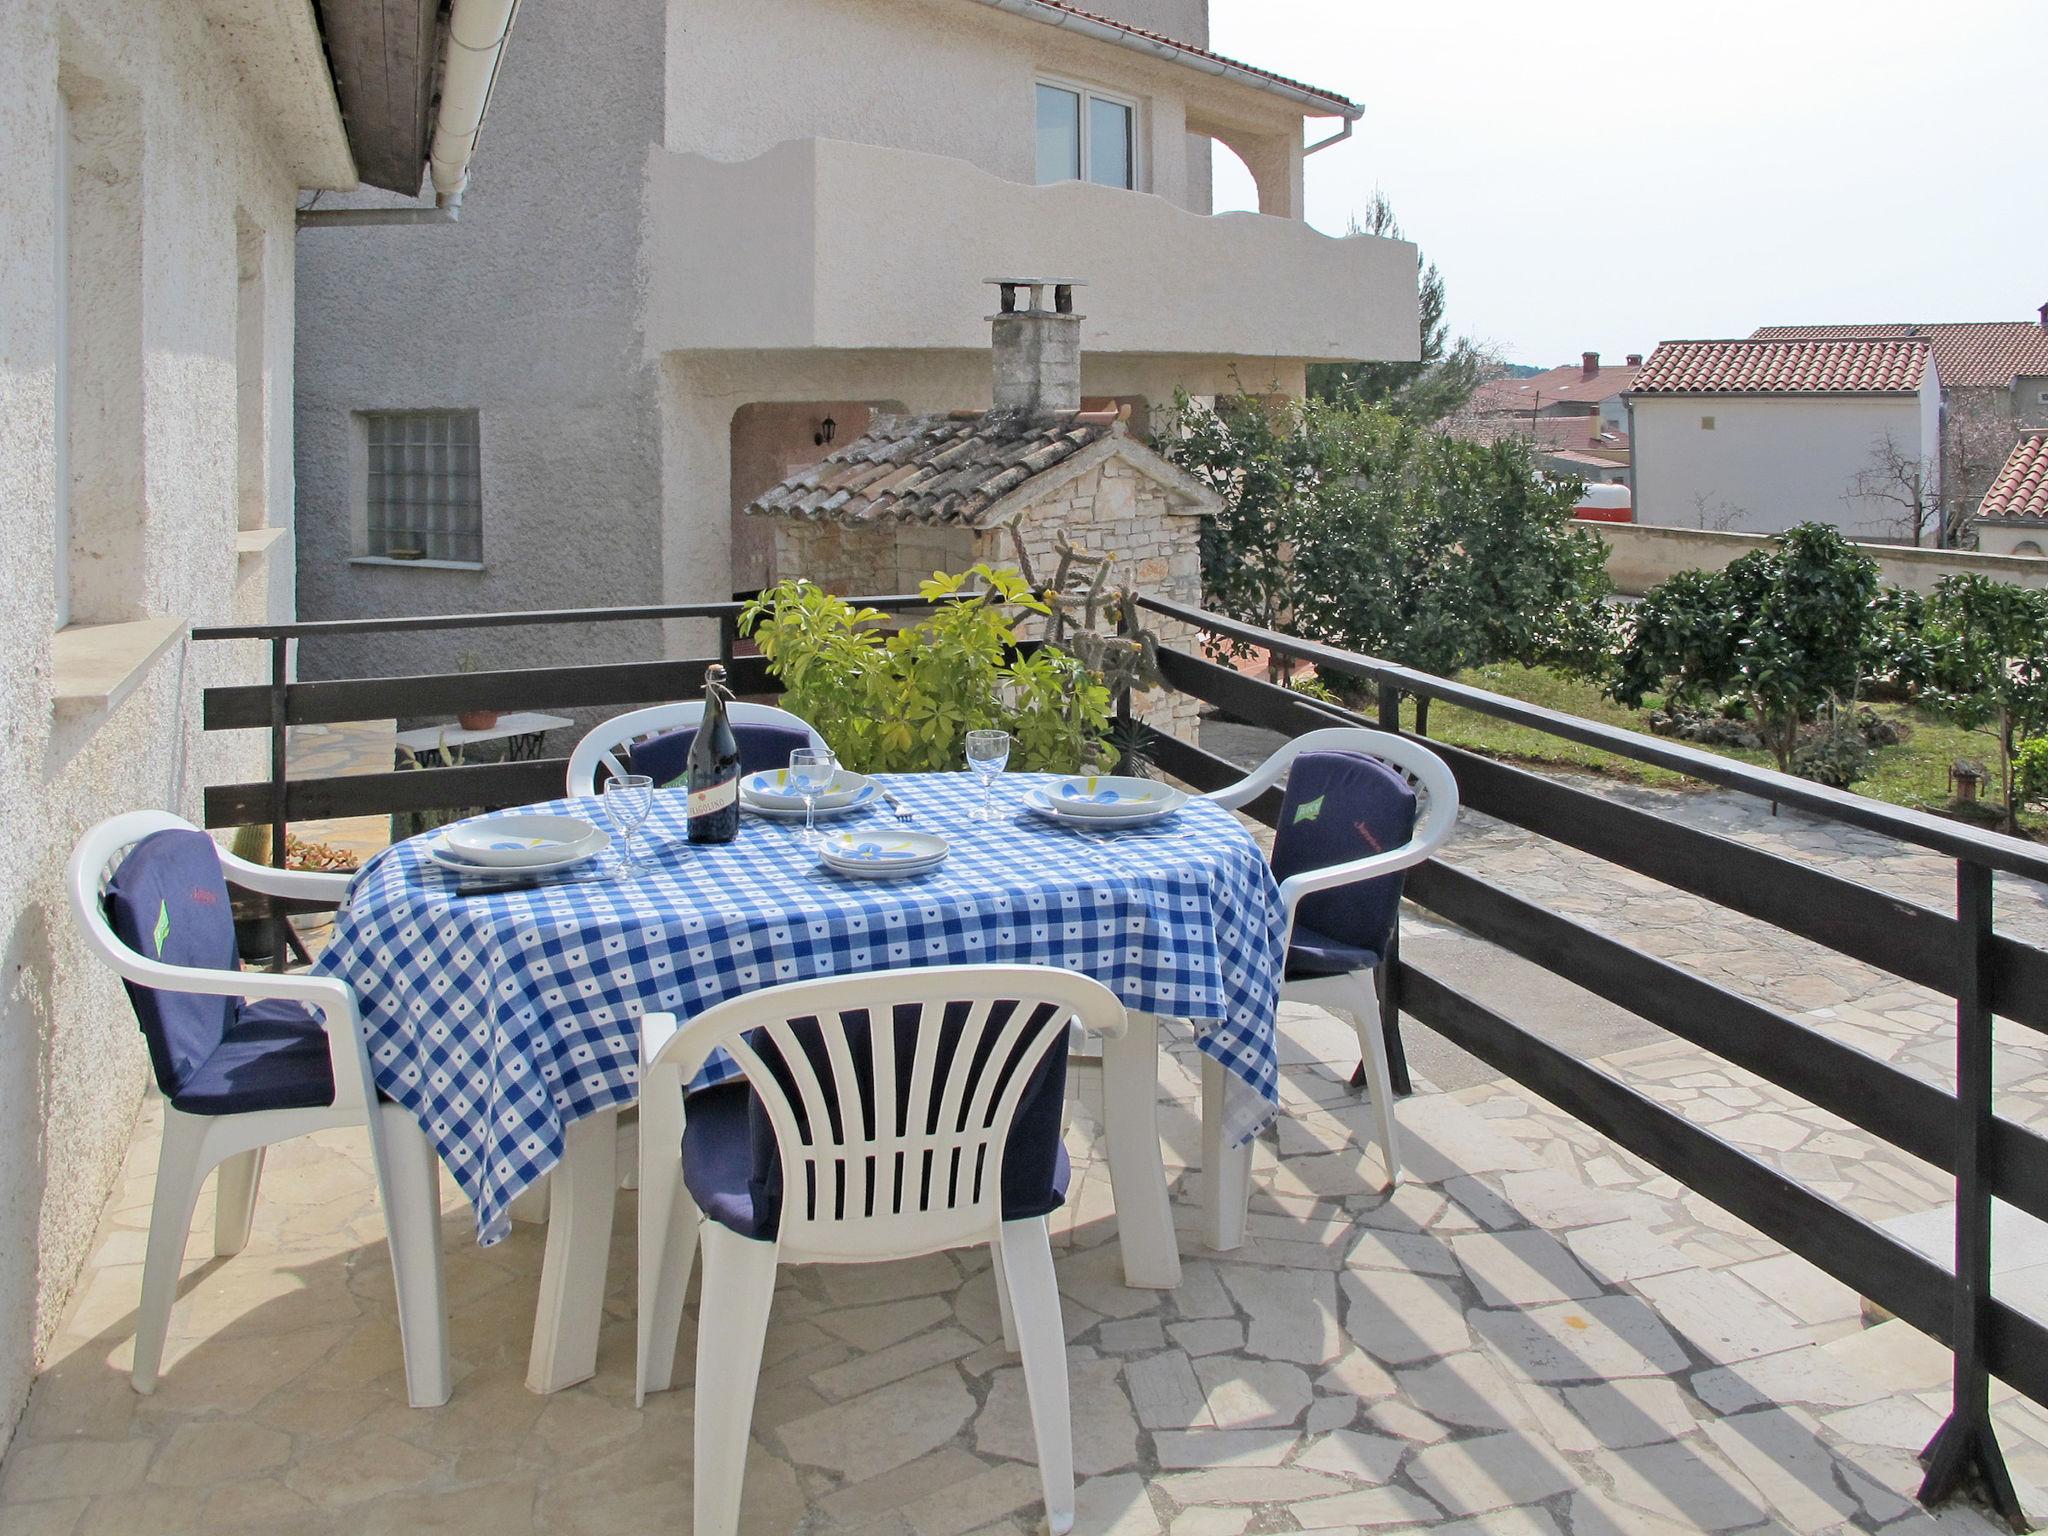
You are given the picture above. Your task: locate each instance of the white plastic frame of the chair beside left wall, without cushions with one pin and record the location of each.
(409, 1172)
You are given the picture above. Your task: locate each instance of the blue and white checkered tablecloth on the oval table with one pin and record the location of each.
(501, 1019)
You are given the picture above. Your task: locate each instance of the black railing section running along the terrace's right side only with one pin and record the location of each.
(1959, 955)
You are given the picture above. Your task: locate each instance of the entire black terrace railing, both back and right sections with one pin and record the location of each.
(1957, 953)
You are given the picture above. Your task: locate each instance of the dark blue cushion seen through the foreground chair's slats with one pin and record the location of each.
(734, 1170)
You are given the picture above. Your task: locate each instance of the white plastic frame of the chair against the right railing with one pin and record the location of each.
(1351, 996)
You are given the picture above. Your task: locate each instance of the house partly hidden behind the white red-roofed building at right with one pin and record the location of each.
(1994, 384)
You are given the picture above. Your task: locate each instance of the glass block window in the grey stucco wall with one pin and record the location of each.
(425, 495)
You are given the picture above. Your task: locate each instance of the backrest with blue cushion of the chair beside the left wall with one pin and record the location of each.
(151, 884)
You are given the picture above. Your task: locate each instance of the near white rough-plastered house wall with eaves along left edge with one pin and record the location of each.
(153, 159)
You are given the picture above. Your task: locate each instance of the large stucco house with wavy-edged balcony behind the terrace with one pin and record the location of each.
(718, 239)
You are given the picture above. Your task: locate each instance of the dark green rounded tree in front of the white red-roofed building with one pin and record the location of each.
(1789, 632)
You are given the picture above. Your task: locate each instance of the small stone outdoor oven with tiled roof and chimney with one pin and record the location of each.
(919, 495)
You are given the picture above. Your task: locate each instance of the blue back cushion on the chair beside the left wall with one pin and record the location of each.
(169, 902)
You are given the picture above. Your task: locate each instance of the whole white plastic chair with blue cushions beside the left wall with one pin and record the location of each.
(247, 1060)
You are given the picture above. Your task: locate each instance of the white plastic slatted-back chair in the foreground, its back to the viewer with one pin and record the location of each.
(972, 1113)
